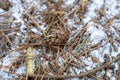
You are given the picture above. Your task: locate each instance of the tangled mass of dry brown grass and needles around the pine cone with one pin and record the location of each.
(60, 50)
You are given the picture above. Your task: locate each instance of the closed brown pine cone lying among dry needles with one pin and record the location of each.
(56, 37)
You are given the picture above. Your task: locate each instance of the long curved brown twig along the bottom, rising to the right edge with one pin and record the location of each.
(78, 75)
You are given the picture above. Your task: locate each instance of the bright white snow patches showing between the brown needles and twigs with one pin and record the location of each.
(96, 31)
